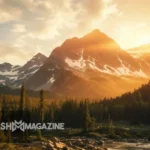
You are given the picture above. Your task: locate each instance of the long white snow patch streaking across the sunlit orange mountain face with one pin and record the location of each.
(122, 70)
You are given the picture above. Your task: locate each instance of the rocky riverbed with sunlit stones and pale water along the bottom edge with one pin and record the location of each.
(84, 143)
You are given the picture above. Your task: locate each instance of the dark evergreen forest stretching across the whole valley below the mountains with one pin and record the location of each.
(133, 108)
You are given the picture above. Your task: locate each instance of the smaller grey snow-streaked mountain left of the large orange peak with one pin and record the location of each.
(13, 76)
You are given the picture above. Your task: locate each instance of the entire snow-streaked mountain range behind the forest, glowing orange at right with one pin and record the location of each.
(93, 66)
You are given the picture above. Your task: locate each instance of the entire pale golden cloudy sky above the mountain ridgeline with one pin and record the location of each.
(31, 26)
